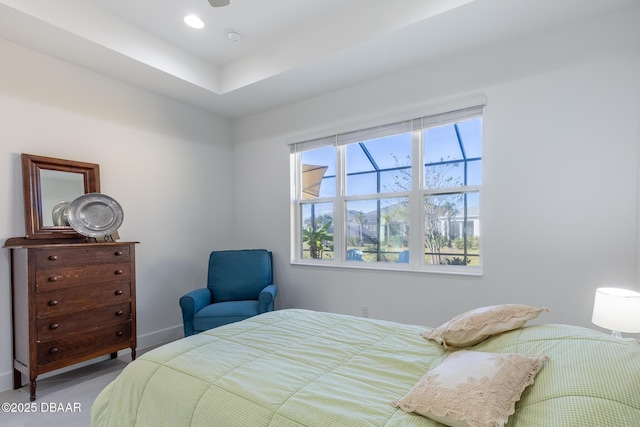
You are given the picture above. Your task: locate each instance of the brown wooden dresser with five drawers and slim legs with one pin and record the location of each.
(71, 303)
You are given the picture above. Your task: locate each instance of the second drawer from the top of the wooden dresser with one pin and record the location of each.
(64, 277)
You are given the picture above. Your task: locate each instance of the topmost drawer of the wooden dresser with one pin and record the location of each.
(83, 254)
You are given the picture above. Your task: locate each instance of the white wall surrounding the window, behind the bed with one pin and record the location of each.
(559, 205)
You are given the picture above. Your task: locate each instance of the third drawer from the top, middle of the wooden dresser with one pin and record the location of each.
(80, 298)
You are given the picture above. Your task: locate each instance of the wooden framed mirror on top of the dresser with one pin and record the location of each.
(48, 183)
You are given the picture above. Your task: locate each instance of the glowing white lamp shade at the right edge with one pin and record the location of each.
(617, 310)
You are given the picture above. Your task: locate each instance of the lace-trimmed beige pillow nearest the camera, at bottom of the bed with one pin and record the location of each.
(473, 389)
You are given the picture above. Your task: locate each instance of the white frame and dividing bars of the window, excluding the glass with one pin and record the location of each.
(415, 196)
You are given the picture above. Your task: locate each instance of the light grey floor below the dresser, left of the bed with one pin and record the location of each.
(73, 390)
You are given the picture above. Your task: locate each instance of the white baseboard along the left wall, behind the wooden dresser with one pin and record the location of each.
(145, 342)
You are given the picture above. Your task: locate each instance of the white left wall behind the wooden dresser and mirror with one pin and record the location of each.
(166, 163)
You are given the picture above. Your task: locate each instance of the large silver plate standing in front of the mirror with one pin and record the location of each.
(95, 215)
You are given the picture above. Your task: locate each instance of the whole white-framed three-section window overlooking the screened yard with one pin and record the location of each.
(404, 195)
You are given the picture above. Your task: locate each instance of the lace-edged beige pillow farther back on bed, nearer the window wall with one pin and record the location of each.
(479, 324)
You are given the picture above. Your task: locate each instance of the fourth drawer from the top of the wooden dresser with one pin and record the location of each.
(85, 321)
